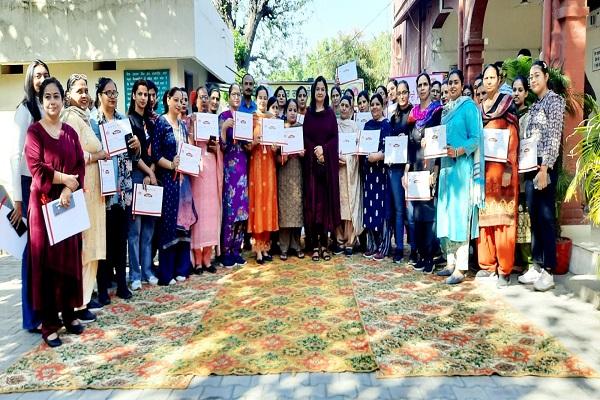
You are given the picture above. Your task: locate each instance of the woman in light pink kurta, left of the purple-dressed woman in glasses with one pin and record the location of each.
(207, 189)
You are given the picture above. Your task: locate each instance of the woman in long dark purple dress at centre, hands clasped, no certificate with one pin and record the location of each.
(321, 171)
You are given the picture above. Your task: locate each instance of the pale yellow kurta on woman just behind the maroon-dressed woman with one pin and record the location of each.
(94, 239)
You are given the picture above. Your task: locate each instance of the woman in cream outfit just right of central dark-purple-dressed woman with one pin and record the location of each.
(351, 210)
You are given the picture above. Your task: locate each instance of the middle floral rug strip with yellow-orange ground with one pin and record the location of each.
(281, 317)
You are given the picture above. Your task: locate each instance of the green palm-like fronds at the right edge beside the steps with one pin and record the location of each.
(587, 176)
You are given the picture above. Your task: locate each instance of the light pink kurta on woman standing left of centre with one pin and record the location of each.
(206, 190)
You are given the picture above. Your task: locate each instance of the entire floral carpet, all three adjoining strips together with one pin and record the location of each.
(344, 315)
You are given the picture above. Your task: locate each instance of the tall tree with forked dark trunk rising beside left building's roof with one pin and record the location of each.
(244, 17)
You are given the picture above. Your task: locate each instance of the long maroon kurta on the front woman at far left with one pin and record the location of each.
(55, 270)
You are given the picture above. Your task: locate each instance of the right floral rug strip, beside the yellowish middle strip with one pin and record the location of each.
(419, 326)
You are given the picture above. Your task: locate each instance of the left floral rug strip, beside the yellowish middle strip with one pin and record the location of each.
(131, 346)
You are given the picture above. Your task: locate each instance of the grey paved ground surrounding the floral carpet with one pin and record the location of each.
(559, 313)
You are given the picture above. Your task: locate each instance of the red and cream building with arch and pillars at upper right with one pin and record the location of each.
(438, 35)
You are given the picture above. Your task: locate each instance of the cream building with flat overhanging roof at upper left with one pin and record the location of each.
(177, 42)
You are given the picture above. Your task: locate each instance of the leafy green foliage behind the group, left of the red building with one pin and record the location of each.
(372, 56)
